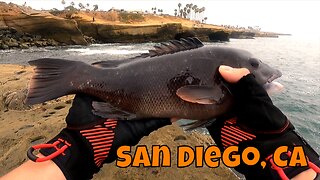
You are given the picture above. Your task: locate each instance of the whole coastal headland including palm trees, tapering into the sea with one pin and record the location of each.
(24, 27)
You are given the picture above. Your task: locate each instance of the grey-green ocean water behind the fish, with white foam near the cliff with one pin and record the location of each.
(297, 58)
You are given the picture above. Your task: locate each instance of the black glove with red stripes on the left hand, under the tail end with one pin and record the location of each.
(92, 141)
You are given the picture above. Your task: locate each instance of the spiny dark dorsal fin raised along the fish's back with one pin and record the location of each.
(173, 46)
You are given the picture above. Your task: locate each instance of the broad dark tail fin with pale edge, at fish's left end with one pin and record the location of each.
(50, 79)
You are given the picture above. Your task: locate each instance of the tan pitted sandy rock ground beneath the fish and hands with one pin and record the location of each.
(22, 126)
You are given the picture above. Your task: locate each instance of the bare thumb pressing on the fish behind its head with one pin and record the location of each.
(232, 75)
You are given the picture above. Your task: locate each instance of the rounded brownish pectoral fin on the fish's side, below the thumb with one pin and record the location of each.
(200, 94)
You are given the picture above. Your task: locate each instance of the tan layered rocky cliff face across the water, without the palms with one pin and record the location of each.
(21, 27)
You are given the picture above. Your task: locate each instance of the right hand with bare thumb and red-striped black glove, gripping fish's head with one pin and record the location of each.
(259, 124)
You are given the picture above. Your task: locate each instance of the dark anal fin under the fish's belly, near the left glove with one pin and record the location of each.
(106, 110)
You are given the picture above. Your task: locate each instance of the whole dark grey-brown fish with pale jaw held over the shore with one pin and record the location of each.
(178, 78)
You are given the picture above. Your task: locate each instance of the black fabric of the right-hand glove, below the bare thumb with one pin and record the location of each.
(254, 113)
